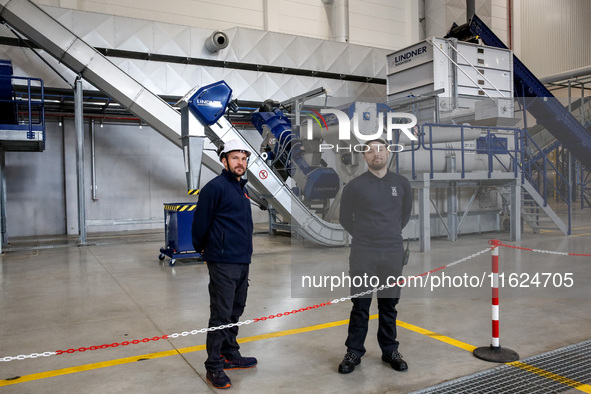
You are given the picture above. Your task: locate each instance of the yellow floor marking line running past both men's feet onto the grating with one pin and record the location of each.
(454, 342)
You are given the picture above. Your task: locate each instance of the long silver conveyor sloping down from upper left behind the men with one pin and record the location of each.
(33, 23)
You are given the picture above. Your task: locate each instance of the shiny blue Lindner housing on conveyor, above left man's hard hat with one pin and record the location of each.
(209, 103)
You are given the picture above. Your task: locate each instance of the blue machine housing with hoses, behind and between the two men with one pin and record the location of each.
(321, 182)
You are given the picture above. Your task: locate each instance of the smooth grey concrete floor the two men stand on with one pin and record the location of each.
(117, 290)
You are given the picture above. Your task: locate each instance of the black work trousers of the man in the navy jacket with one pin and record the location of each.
(228, 287)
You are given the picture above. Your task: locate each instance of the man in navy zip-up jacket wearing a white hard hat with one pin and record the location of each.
(222, 232)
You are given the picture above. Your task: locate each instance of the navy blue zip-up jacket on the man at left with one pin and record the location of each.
(222, 223)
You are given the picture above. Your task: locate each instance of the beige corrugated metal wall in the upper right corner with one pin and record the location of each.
(555, 35)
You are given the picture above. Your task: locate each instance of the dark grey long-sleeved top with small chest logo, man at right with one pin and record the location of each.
(375, 210)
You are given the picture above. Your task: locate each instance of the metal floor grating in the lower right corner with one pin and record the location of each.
(553, 372)
